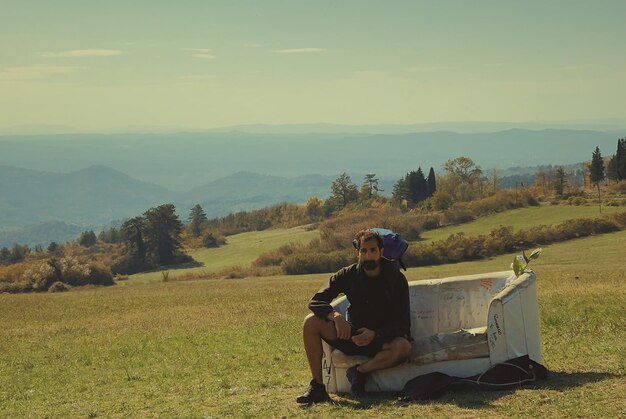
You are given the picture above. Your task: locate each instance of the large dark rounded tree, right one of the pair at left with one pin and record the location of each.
(163, 229)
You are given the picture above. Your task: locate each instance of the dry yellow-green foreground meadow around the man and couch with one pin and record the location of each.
(232, 348)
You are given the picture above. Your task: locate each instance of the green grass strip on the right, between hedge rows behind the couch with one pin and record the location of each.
(521, 218)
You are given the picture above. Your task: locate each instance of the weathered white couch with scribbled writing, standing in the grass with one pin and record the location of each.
(461, 325)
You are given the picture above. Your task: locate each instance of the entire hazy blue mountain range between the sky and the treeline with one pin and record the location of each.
(89, 180)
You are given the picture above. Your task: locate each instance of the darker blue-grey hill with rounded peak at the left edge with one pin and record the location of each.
(92, 196)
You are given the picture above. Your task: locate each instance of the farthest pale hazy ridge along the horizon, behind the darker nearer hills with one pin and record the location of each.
(183, 161)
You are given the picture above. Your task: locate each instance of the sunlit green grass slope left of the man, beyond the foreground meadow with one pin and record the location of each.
(240, 250)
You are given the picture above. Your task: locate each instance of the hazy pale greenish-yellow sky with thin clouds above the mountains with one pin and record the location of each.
(199, 64)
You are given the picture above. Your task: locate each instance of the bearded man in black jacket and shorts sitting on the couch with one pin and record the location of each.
(378, 323)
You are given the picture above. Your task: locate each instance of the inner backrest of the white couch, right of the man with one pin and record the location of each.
(450, 304)
